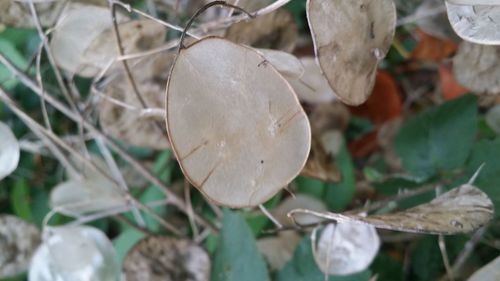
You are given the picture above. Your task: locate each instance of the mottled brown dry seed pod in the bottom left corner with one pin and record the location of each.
(18, 242)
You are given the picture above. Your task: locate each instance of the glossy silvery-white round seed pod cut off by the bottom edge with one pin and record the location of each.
(77, 253)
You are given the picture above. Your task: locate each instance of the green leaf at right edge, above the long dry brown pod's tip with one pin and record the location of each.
(487, 152)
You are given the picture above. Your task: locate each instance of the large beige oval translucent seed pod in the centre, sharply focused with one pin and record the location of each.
(234, 123)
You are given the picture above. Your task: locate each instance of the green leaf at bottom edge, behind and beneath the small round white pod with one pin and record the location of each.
(302, 267)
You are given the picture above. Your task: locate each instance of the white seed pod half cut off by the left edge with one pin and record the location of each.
(9, 151)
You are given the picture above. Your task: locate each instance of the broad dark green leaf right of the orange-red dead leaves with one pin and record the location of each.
(438, 139)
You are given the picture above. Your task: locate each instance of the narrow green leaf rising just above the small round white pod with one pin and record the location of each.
(339, 195)
